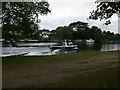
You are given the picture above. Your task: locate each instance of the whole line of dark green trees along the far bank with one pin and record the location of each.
(80, 30)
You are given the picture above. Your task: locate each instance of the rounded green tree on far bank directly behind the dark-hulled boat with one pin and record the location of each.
(64, 33)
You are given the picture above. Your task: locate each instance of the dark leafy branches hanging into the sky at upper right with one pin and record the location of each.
(105, 11)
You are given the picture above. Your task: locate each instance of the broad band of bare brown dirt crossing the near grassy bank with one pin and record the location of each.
(44, 74)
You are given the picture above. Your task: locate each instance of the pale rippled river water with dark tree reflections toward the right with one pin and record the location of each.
(42, 48)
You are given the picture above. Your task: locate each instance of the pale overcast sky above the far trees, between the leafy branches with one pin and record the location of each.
(65, 12)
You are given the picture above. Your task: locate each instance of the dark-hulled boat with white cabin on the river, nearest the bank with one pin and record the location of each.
(65, 46)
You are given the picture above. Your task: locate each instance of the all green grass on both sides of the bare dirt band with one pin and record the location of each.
(96, 78)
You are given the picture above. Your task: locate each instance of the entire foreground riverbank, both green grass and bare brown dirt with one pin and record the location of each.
(74, 70)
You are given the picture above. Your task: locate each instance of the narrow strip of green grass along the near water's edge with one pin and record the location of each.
(20, 60)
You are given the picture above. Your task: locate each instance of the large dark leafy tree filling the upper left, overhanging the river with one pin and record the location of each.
(19, 19)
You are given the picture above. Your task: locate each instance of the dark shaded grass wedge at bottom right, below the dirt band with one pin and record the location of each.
(106, 78)
